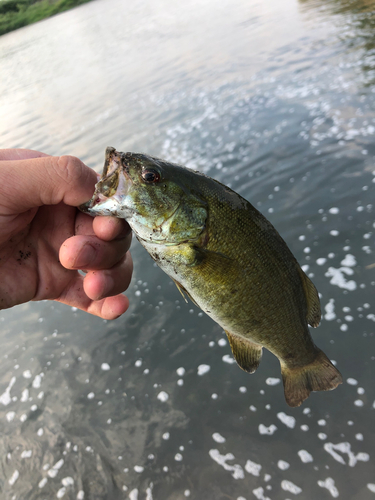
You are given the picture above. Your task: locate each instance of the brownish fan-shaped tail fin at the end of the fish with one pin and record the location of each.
(320, 375)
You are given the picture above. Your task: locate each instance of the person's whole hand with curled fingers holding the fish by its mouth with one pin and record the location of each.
(45, 240)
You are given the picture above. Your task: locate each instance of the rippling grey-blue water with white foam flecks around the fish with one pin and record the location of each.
(275, 99)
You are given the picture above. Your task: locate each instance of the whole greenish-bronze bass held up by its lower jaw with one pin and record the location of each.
(227, 258)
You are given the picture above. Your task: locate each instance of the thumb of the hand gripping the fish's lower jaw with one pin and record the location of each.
(48, 180)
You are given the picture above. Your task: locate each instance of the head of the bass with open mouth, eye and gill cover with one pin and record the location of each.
(153, 195)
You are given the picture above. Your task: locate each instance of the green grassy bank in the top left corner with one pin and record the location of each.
(17, 13)
